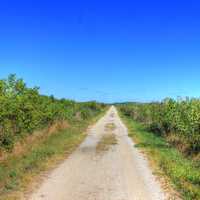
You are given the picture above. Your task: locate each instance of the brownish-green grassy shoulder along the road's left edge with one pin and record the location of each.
(20, 173)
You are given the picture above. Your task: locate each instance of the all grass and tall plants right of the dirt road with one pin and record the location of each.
(170, 134)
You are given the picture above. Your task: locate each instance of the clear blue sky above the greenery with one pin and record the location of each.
(103, 50)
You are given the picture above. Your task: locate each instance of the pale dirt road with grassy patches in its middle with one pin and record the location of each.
(106, 166)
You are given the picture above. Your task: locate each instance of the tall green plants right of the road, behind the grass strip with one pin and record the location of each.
(178, 120)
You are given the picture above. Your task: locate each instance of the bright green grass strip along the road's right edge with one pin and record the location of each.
(183, 173)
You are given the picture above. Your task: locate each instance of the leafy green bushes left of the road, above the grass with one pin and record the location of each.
(23, 110)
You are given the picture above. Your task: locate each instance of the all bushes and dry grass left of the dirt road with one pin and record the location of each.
(36, 131)
